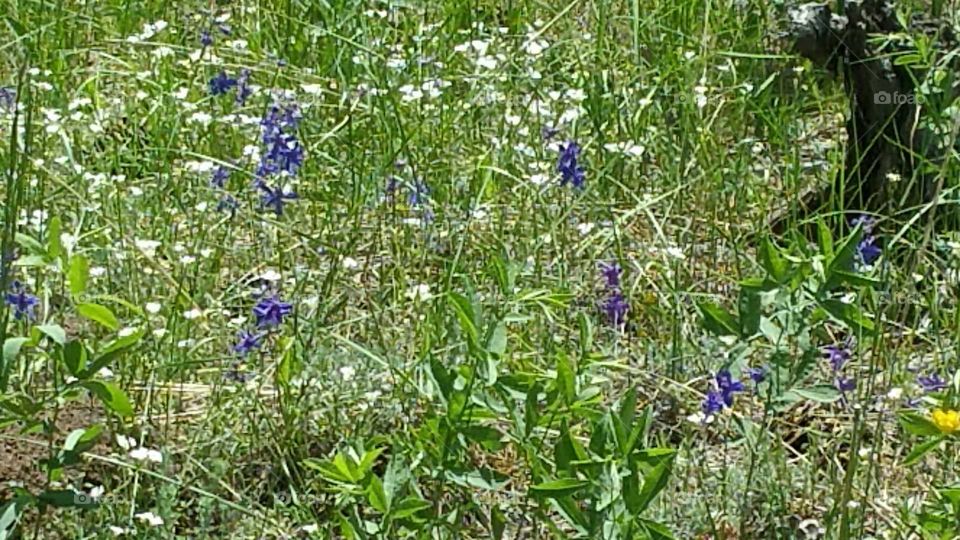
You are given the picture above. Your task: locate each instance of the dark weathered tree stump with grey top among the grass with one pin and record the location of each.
(885, 139)
